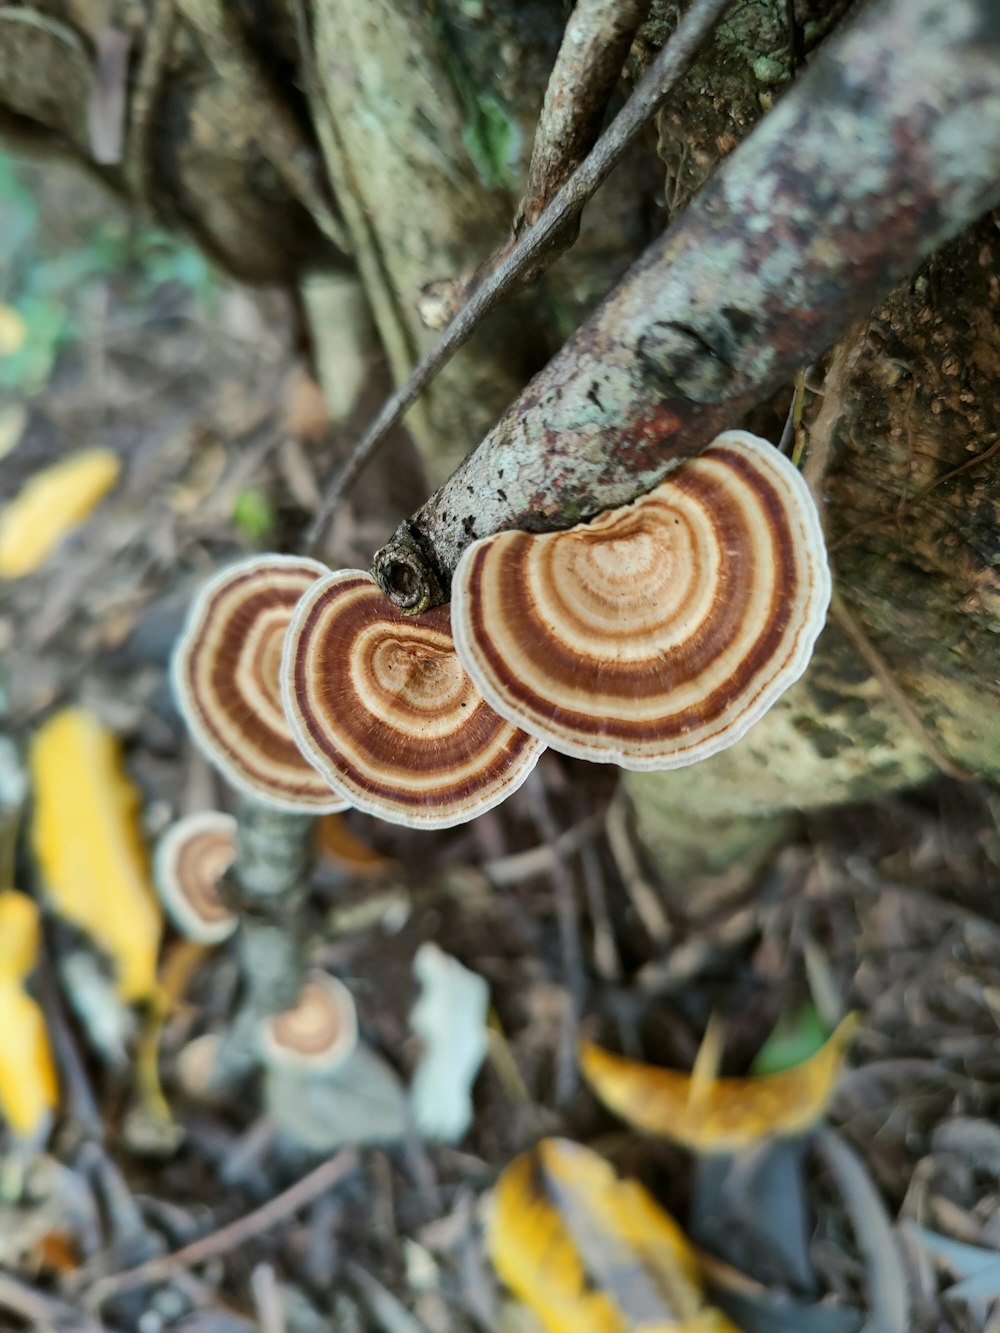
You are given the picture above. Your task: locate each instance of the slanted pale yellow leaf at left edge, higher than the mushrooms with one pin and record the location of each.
(50, 506)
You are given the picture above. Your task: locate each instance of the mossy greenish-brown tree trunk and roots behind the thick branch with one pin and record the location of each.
(391, 141)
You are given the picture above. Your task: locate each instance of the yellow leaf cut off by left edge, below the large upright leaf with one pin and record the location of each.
(29, 1084)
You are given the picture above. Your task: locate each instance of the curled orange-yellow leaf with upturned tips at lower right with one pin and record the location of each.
(727, 1115)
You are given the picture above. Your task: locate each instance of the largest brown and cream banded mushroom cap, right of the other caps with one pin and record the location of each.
(658, 634)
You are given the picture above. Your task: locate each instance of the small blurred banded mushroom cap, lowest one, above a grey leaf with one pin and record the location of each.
(319, 1035)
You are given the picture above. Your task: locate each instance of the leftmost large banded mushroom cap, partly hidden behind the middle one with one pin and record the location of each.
(226, 678)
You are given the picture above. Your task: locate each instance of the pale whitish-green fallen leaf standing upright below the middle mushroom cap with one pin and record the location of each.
(451, 1020)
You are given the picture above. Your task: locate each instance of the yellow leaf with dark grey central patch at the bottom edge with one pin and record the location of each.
(589, 1251)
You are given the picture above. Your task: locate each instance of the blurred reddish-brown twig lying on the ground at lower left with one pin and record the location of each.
(230, 1238)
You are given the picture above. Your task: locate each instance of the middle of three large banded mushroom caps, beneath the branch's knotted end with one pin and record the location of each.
(381, 704)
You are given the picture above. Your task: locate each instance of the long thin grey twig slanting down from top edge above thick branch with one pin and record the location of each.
(537, 245)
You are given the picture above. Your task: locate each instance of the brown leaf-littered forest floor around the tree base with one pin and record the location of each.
(889, 910)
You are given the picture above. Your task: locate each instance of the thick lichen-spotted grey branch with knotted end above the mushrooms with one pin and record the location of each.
(887, 147)
